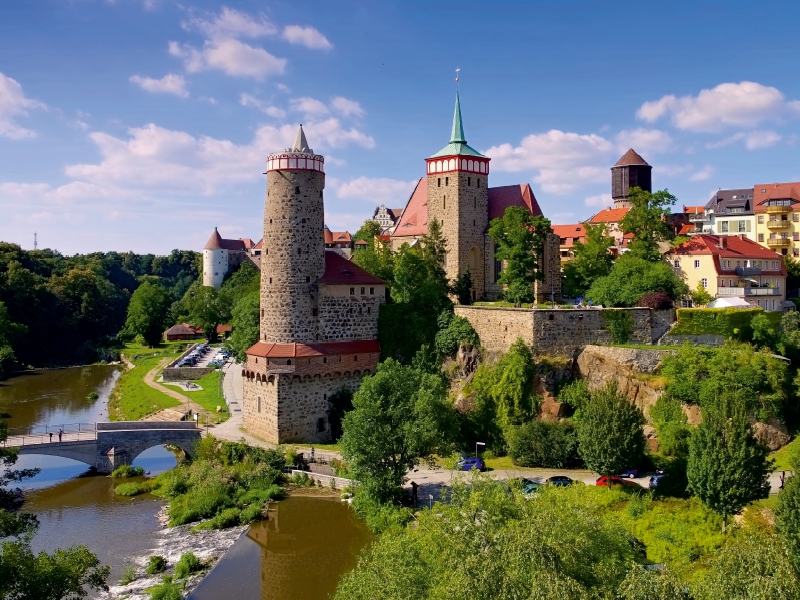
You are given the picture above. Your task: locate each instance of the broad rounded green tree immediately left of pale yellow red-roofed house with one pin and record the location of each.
(631, 278)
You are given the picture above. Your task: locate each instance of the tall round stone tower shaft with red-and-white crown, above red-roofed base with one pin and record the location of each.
(293, 250)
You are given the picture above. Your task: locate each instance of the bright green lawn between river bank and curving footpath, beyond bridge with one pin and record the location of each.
(132, 399)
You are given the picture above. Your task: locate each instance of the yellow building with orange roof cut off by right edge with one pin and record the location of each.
(777, 208)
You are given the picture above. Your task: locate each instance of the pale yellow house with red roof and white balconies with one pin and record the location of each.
(732, 266)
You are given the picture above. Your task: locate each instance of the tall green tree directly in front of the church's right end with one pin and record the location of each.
(520, 239)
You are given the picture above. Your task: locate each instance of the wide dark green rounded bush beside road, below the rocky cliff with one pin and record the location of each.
(544, 444)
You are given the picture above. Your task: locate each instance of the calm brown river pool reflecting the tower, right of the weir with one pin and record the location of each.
(298, 553)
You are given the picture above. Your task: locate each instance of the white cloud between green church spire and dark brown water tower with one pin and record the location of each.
(564, 161)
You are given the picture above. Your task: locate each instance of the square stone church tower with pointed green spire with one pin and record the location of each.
(458, 197)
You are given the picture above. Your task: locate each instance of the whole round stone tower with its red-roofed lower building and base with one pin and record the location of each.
(318, 311)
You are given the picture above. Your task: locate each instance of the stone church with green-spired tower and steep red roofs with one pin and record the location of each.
(456, 193)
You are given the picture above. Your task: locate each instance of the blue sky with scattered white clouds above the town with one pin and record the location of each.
(143, 124)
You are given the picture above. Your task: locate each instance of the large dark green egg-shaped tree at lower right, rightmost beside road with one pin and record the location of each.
(728, 467)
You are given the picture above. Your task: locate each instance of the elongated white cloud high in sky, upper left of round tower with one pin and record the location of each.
(231, 56)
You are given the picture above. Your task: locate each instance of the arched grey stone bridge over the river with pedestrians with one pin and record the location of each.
(109, 445)
